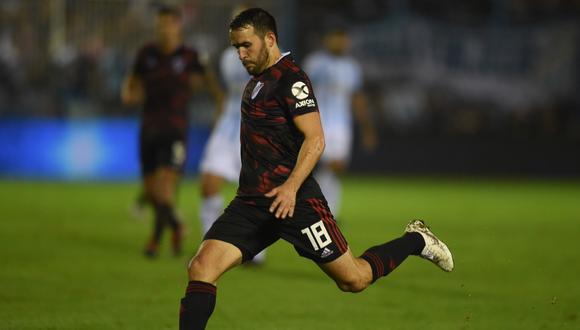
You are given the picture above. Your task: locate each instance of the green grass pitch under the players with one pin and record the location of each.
(71, 259)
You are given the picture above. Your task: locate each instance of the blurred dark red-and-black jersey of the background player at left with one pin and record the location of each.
(167, 83)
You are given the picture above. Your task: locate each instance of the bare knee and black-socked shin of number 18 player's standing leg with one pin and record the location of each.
(213, 259)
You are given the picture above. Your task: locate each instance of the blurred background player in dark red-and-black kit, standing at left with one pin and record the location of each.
(163, 77)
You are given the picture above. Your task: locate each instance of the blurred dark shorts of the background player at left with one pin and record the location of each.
(162, 151)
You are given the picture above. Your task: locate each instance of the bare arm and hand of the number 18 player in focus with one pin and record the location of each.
(310, 152)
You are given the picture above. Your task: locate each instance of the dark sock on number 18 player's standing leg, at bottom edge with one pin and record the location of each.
(197, 305)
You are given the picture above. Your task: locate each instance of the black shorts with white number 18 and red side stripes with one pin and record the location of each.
(251, 228)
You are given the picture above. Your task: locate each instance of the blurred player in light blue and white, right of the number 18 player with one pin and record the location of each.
(337, 78)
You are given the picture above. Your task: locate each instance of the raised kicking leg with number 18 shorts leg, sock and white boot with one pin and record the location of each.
(315, 235)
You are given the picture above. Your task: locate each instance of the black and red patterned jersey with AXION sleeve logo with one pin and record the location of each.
(270, 141)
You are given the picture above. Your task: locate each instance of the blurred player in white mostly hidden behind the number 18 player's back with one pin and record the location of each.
(221, 157)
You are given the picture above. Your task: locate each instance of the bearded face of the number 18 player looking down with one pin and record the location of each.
(251, 48)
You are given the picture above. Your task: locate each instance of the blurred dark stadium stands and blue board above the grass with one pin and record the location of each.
(468, 87)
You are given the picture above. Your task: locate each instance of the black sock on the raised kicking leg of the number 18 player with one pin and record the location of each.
(386, 257)
